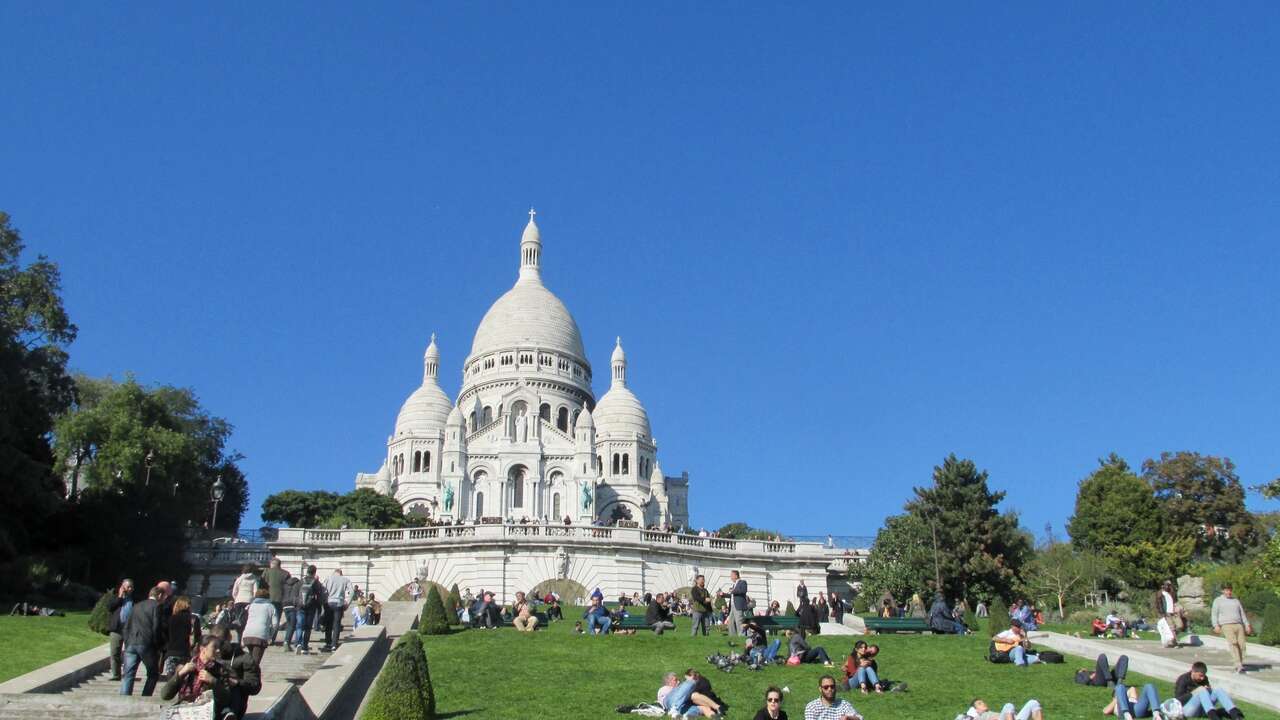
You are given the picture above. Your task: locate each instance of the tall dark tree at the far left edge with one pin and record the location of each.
(35, 332)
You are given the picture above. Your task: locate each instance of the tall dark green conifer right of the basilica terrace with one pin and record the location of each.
(981, 550)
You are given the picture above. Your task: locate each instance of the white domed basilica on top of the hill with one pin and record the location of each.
(527, 438)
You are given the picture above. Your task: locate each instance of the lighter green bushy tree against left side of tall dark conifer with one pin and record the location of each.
(900, 562)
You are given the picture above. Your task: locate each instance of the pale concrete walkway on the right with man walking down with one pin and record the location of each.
(1260, 685)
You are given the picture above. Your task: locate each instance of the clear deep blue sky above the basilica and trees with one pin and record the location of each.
(839, 241)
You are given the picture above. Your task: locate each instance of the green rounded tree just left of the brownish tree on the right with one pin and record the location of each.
(1114, 507)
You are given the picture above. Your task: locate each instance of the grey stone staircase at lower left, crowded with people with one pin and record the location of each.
(99, 698)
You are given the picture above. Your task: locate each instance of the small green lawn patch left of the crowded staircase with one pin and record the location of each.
(28, 644)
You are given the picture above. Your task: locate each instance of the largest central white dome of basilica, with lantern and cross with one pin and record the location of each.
(529, 316)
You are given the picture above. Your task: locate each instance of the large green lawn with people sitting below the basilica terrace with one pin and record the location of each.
(555, 675)
